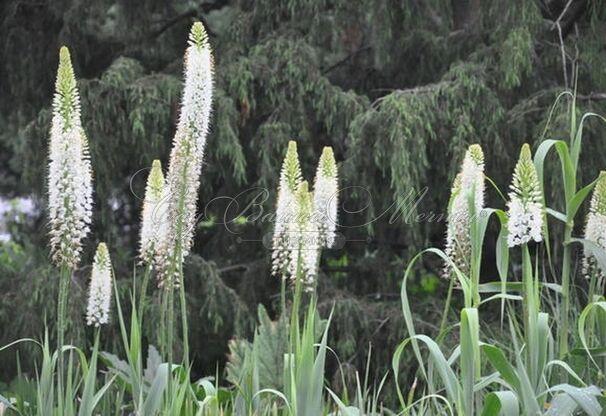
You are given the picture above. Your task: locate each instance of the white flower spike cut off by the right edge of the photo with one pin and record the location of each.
(595, 228)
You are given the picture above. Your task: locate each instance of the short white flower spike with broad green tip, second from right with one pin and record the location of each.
(525, 202)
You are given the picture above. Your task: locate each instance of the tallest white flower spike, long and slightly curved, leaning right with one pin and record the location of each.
(189, 143)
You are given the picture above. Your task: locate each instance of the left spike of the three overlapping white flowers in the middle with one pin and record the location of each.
(286, 227)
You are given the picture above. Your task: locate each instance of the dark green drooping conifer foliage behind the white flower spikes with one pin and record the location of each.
(398, 88)
